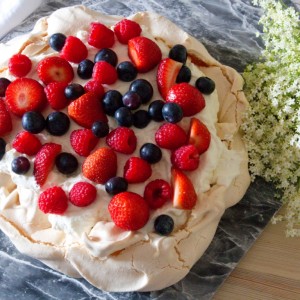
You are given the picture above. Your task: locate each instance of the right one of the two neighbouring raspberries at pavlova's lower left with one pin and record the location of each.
(82, 194)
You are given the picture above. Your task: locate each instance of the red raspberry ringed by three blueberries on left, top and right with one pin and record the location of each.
(104, 73)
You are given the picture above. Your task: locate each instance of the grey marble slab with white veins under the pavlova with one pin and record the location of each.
(228, 29)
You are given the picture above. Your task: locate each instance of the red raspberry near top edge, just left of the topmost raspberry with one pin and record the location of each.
(100, 36)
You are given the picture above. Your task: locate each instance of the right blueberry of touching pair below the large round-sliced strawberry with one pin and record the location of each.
(57, 123)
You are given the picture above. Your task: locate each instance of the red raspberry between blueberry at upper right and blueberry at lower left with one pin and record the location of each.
(137, 170)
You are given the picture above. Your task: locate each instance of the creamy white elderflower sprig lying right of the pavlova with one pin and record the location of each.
(272, 124)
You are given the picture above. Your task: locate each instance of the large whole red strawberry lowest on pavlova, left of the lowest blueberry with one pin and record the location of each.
(129, 211)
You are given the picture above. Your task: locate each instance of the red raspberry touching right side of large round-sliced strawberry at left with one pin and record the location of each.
(55, 93)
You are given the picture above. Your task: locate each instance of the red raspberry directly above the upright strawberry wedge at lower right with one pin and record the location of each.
(186, 158)
